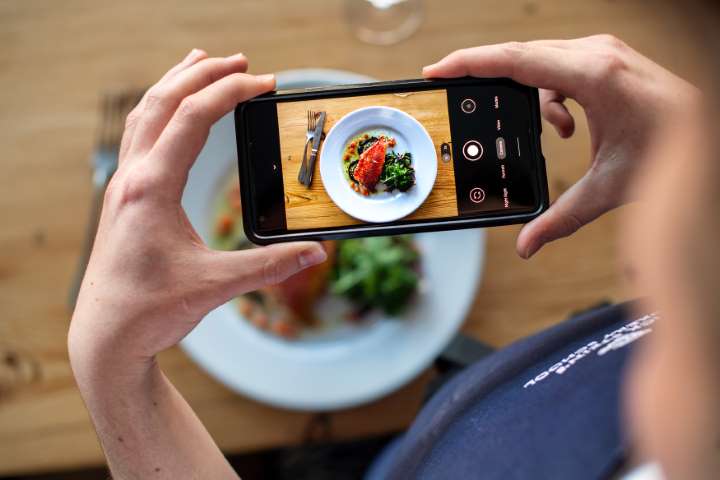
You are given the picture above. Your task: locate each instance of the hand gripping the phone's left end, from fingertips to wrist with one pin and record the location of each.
(150, 278)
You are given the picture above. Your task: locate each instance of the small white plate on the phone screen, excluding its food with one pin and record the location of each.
(410, 136)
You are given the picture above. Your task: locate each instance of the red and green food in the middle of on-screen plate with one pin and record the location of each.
(373, 166)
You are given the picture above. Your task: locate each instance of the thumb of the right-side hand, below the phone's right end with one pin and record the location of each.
(580, 204)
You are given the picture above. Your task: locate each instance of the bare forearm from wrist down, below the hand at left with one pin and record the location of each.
(146, 428)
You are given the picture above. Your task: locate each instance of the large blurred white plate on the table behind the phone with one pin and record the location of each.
(347, 368)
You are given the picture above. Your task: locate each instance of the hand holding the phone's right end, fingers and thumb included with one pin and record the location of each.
(627, 99)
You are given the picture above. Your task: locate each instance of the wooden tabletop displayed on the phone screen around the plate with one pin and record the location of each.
(313, 208)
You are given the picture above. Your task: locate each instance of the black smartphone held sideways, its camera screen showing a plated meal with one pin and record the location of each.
(389, 158)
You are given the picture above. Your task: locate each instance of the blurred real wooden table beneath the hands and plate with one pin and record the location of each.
(55, 59)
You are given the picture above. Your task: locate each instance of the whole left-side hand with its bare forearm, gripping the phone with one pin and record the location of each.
(150, 278)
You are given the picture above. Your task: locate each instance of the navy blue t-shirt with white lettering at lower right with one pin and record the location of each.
(546, 407)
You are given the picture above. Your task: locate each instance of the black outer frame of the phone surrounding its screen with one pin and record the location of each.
(334, 233)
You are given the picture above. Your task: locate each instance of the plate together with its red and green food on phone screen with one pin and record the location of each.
(378, 164)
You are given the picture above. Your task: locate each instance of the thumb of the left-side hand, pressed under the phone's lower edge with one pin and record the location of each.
(246, 270)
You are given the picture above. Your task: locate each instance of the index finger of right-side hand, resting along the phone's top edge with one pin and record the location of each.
(552, 65)
